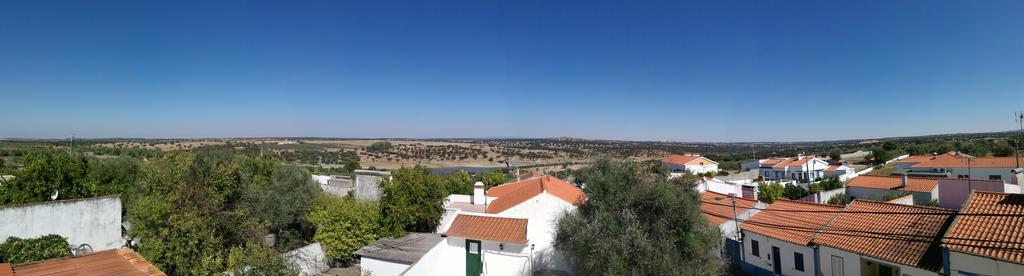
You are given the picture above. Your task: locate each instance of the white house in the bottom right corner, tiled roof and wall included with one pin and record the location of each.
(968, 244)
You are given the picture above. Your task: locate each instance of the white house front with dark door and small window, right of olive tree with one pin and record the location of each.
(787, 251)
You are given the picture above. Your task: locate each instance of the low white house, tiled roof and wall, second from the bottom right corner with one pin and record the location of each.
(875, 252)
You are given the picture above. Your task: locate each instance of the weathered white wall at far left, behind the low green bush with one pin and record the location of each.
(94, 221)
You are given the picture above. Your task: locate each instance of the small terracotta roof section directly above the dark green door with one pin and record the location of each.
(489, 228)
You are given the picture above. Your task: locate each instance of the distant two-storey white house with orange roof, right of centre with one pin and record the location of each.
(799, 168)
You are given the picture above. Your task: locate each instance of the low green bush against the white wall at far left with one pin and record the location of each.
(18, 251)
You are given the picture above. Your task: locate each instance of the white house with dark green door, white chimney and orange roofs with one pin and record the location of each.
(508, 231)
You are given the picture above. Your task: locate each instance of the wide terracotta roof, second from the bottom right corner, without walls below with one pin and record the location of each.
(886, 226)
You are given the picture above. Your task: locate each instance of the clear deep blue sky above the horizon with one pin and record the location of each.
(709, 71)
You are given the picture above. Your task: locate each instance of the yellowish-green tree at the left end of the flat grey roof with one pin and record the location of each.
(346, 225)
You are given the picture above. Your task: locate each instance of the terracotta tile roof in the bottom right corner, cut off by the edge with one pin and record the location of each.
(1004, 232)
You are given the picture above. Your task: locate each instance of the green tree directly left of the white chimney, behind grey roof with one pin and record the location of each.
(412, 201)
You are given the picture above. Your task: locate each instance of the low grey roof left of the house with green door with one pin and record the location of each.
(409, 249)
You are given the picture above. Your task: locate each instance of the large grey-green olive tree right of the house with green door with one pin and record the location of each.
(657, 225)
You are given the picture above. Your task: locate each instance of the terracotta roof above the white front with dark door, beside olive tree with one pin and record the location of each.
(793, 227)
